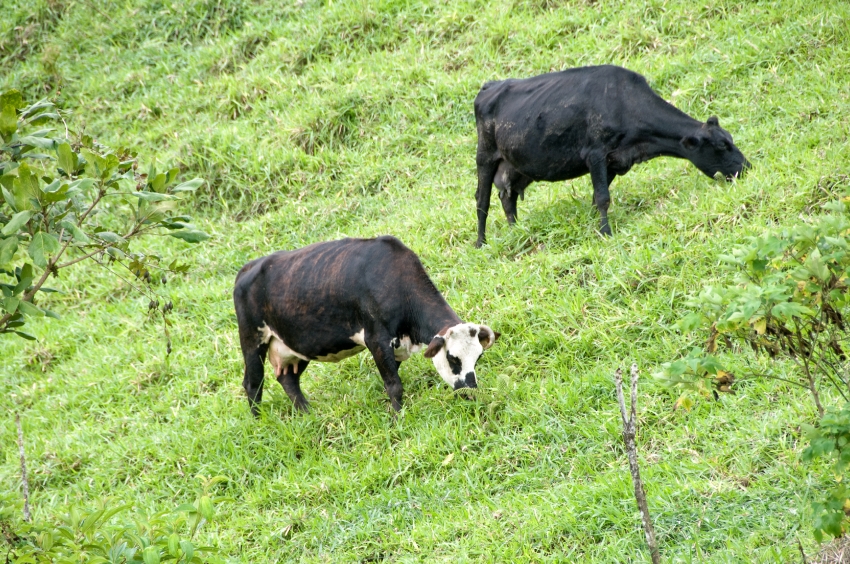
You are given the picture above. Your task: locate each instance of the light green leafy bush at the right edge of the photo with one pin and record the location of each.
(789, 301)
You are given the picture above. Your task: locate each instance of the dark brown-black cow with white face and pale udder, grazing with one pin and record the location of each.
(329, 301)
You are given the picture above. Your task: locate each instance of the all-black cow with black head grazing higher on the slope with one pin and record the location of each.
(600, 120)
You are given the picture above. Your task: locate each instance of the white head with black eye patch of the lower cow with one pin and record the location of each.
(456, 350)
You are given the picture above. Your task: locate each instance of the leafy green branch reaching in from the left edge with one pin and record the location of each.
(69, 198)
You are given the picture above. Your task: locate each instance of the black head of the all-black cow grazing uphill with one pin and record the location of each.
(711, 150)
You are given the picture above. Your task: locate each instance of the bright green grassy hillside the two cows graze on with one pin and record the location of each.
(318, 120)
